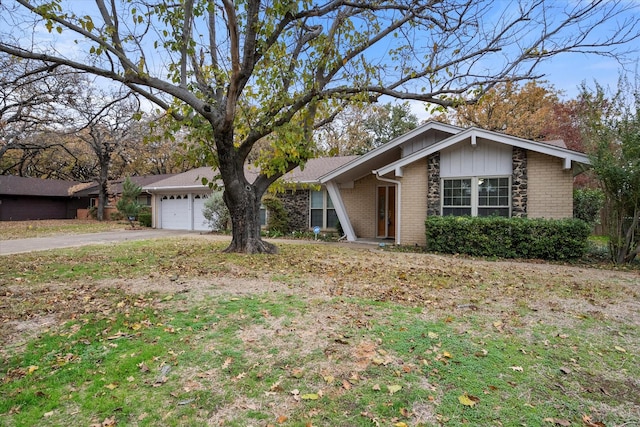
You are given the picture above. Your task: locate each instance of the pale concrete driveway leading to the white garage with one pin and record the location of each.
(17, 246)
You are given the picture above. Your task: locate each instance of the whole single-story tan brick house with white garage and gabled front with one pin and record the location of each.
(435, 169)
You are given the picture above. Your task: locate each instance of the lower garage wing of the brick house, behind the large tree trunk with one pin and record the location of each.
(178, 201)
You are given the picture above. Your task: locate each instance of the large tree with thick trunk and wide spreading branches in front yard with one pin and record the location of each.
(250, 70)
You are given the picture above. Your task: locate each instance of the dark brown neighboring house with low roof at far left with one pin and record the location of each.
(24, 199)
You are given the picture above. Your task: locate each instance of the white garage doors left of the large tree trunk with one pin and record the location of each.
(182, 212)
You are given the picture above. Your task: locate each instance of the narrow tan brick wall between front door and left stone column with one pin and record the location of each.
(414, 203)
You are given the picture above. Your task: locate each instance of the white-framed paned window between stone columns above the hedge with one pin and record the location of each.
(477, 196)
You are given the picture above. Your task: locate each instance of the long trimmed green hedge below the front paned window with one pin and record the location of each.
(508, 237)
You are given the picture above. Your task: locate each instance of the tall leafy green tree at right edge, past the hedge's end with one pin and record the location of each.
(611, 128)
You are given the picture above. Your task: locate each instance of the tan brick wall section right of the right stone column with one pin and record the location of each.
(550, 188)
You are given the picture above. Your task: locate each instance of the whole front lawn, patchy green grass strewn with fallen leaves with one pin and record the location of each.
(173, 332)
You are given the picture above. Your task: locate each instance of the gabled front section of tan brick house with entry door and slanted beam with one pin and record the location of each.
(439, 169)
